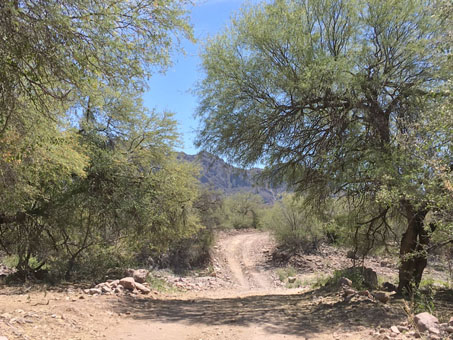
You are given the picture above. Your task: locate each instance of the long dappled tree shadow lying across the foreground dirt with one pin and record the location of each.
(301, 314)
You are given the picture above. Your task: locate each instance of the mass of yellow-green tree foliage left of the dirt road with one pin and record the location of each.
(88, 177)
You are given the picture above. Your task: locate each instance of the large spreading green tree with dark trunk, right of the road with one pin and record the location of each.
(341, 99)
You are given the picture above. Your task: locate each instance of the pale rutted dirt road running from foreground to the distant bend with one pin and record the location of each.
(256, 307)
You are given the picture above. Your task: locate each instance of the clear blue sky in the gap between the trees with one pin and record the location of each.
(172, 91)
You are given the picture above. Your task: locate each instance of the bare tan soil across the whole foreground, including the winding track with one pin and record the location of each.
(245, 301)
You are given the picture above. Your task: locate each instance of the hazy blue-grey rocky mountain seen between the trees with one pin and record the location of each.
(219, 175)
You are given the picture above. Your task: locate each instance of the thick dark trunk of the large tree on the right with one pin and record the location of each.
(413, 250)
